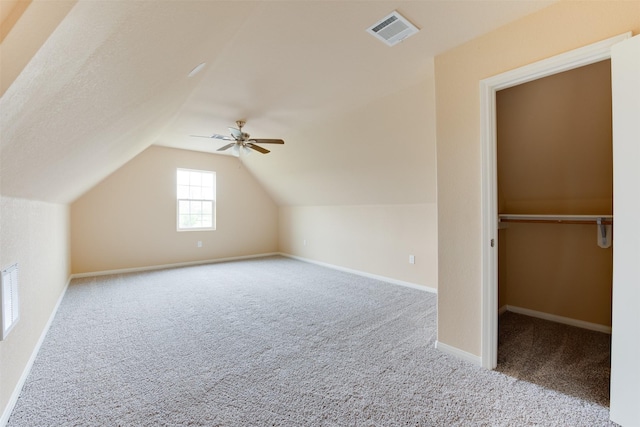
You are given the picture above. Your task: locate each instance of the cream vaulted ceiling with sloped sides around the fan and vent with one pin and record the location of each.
(112, 78)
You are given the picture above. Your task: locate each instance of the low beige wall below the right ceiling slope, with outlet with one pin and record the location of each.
(372, 239)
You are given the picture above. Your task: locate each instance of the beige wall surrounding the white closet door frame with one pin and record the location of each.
(557, 29)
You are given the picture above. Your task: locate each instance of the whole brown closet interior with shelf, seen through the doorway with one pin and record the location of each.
(555, 205)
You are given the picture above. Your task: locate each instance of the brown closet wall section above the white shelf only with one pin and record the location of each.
(555, 144)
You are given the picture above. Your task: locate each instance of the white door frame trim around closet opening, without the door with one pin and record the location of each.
(488, 137)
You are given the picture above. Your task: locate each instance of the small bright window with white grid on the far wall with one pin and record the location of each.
(196, 199)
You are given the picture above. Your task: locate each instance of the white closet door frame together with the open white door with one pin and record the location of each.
(624, 51)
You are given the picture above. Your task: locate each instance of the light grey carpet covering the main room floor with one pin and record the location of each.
(267, 342)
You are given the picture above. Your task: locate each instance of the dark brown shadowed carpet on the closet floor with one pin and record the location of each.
(564, 358)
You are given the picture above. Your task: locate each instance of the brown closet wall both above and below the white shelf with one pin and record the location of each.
(555, 157)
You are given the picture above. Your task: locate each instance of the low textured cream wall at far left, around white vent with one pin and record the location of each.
(36, 236)
